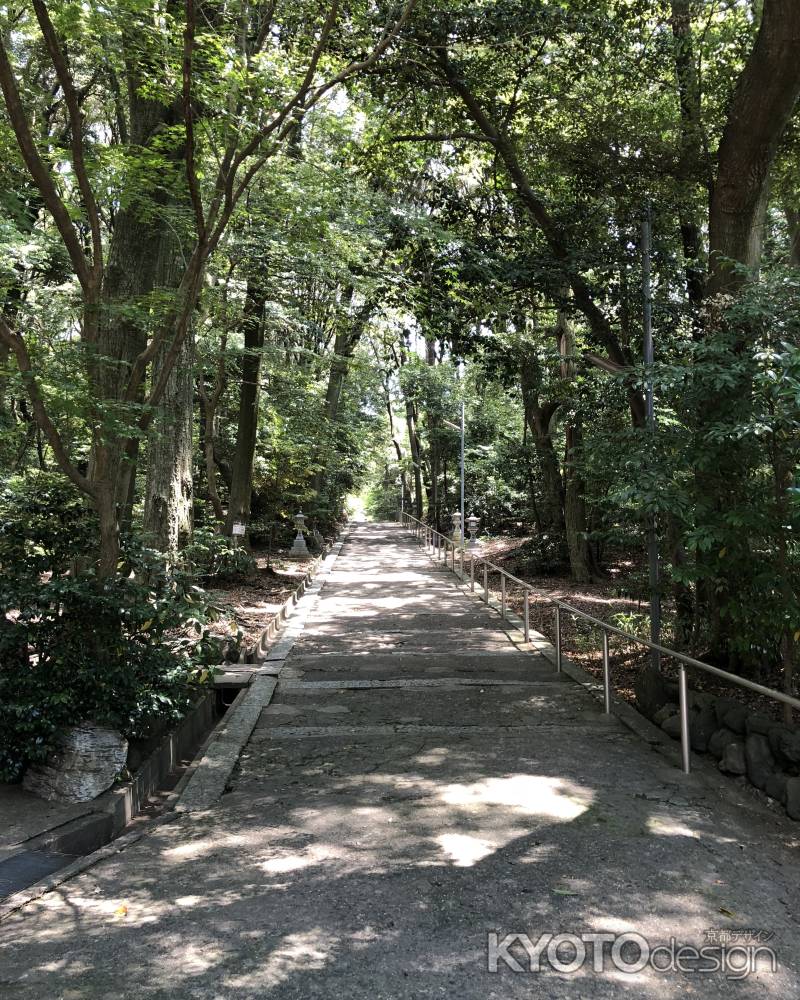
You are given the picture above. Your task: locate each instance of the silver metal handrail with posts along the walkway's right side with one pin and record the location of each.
(439, 541)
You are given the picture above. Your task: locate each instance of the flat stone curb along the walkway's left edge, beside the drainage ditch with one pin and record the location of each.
(210, 777)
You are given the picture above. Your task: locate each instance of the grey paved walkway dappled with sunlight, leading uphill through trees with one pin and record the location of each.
(418, 782)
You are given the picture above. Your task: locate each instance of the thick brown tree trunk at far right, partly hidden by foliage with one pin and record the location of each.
(764, 100)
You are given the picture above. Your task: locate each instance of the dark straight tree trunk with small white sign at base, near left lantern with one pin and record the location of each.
(249, 397)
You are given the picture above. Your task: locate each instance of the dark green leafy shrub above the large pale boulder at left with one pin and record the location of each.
(122, 652)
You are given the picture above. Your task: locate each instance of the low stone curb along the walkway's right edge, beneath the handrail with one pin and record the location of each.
(703, 772)
